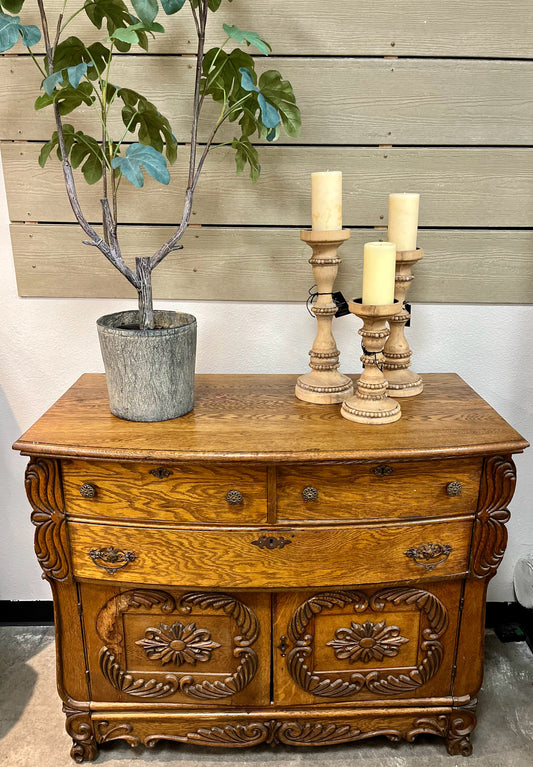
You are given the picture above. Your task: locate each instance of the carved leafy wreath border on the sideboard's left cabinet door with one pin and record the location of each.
(108, 627)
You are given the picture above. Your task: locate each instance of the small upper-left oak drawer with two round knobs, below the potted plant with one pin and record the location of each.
(184, 493)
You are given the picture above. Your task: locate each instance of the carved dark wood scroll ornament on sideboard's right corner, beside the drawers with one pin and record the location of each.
(490, 534)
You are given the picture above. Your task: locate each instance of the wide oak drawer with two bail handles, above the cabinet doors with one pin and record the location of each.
(270, 558)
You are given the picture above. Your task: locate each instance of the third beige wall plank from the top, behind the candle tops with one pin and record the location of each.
(459, 187)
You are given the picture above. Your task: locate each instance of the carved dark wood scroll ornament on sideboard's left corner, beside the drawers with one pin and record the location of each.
(45, 494)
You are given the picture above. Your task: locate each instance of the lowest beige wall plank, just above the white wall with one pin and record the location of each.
(54, 262)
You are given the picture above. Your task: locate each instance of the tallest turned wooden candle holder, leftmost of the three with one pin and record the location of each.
(324, 385)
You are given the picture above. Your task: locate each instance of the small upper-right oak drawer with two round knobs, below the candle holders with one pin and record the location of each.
(378, 490)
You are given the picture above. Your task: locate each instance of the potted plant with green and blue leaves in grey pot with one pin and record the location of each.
(148, 354)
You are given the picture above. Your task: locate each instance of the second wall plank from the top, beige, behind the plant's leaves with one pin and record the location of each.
(343, 101)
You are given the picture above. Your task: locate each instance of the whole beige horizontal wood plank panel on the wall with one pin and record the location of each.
(411, 95)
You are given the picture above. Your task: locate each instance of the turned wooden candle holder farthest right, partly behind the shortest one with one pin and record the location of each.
(402, 382)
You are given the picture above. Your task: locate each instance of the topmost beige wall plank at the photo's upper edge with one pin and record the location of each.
(412, 27)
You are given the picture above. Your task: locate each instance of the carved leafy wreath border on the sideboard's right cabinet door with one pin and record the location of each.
(383, 682)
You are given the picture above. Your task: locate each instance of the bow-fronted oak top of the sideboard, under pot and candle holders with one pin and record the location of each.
(258, 418)
